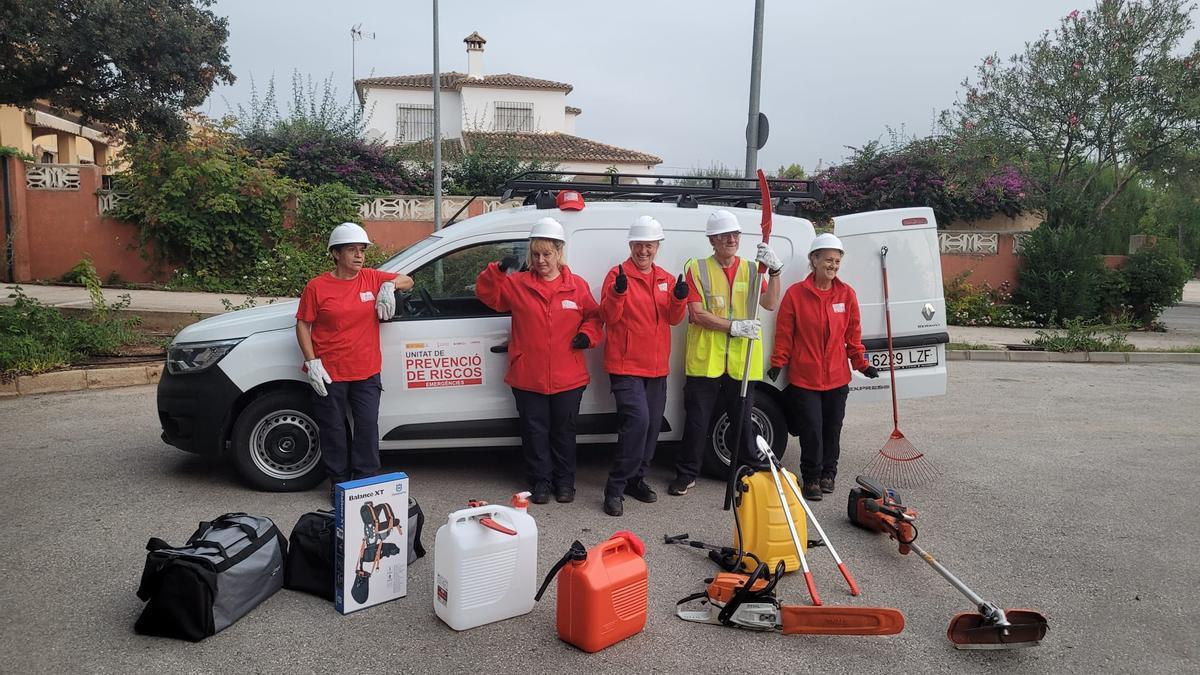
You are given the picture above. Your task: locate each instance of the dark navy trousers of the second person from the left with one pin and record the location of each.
(548, 435)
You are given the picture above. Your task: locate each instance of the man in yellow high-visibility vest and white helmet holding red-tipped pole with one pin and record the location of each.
(721, 330)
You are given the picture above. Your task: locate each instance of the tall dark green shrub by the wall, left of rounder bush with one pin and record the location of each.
(1060, 276)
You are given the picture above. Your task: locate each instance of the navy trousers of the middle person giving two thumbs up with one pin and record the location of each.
(640, 404)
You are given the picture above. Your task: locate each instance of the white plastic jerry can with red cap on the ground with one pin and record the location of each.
(485, 565)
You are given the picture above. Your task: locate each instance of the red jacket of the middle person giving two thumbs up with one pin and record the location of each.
(638, 324)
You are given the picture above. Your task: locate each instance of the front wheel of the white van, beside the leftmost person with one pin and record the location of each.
(277, 445)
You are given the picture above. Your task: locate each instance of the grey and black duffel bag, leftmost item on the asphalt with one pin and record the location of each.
(227, 568)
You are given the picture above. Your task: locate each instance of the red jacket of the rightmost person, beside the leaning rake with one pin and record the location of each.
(819, 336)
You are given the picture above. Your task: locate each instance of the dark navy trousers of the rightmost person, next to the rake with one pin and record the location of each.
(818, 417)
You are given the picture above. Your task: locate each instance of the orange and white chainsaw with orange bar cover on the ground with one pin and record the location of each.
(748, 601)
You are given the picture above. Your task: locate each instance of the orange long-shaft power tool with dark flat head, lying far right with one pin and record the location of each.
(878, 509)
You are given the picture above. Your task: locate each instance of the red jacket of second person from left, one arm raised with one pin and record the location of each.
(545, 318)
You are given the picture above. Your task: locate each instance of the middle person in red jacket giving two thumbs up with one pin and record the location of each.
(640, 303)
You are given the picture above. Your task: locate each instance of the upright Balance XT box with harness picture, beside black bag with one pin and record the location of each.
(371, 565)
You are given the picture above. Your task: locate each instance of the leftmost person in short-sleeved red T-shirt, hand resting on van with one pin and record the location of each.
(338, 327)
